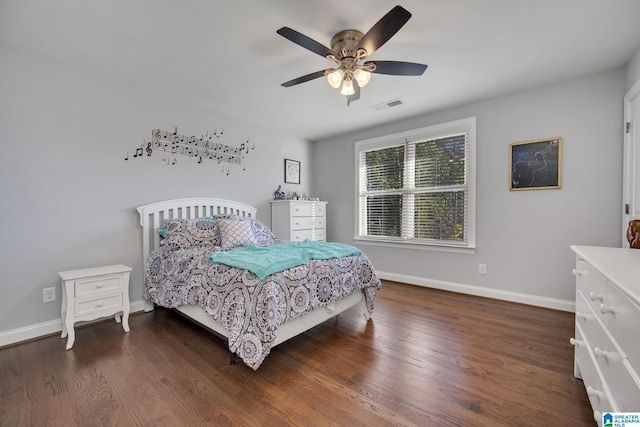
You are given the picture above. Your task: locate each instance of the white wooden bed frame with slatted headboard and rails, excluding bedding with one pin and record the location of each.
(153, 215)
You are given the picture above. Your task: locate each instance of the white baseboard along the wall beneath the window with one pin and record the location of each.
(535, 300)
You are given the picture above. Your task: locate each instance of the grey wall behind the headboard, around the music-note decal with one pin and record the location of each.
(69, 197)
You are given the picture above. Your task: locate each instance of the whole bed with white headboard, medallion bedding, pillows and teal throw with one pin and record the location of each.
(215, 266)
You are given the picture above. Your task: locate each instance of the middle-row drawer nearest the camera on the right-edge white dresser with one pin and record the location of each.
(621, 380)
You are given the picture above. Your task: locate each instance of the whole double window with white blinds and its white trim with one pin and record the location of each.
(418, 187)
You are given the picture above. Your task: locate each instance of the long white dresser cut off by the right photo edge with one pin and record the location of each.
(607, 340)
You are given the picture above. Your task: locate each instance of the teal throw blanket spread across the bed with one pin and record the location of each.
(265, 261)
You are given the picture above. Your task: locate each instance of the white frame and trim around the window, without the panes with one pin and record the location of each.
(436, 131)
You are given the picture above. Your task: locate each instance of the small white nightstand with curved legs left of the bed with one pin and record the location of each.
(93, 293)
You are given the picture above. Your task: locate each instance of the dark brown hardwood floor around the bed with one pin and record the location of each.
(427, 358)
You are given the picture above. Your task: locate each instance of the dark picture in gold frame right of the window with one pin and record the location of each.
(536, 164)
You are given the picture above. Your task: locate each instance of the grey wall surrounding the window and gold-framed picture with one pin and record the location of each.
(522, 236)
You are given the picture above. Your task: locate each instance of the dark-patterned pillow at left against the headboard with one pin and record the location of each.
(186, 233)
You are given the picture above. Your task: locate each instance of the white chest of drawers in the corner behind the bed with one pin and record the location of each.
(297, 220)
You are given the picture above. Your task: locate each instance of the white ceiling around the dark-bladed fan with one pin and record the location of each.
(227, 56)
